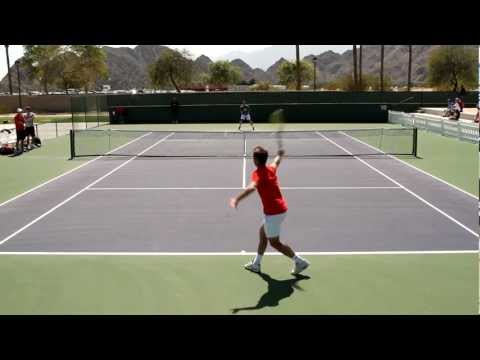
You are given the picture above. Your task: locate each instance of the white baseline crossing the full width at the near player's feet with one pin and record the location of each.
(306, 253)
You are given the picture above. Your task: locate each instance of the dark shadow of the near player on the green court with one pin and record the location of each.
(277, 291)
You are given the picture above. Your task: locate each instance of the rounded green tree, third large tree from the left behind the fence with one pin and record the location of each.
(173, 67)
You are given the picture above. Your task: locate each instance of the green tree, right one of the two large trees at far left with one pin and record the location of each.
(91, 64)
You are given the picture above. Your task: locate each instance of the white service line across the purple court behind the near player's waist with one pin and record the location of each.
(238, 188)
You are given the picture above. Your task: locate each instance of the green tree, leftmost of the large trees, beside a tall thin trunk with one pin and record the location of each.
(41, 62)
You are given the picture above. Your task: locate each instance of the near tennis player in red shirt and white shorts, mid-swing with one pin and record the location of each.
(265, 181)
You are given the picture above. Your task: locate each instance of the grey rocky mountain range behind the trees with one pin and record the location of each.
(129, 67)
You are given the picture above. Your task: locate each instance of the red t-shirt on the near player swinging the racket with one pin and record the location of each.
(269, 190)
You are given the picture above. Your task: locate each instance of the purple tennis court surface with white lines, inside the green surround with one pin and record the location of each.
(346, 197)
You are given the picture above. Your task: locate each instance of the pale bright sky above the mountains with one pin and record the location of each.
(215, 52)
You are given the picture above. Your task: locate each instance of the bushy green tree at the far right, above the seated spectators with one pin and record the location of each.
(449, 66)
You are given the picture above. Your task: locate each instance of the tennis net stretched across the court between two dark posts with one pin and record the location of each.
(322, 143)
